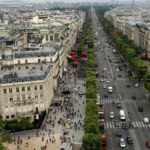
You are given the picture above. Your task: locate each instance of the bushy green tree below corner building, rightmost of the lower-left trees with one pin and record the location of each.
(24, 123)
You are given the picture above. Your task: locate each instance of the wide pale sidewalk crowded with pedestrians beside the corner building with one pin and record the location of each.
(65, 122)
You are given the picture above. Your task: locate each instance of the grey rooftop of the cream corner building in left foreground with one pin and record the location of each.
(33, 73)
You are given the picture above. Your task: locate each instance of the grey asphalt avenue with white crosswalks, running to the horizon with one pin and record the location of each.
(108, 69)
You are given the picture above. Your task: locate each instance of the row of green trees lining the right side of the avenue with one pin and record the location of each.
(127, 48)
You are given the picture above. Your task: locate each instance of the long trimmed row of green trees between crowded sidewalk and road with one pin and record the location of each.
(92, 138)
